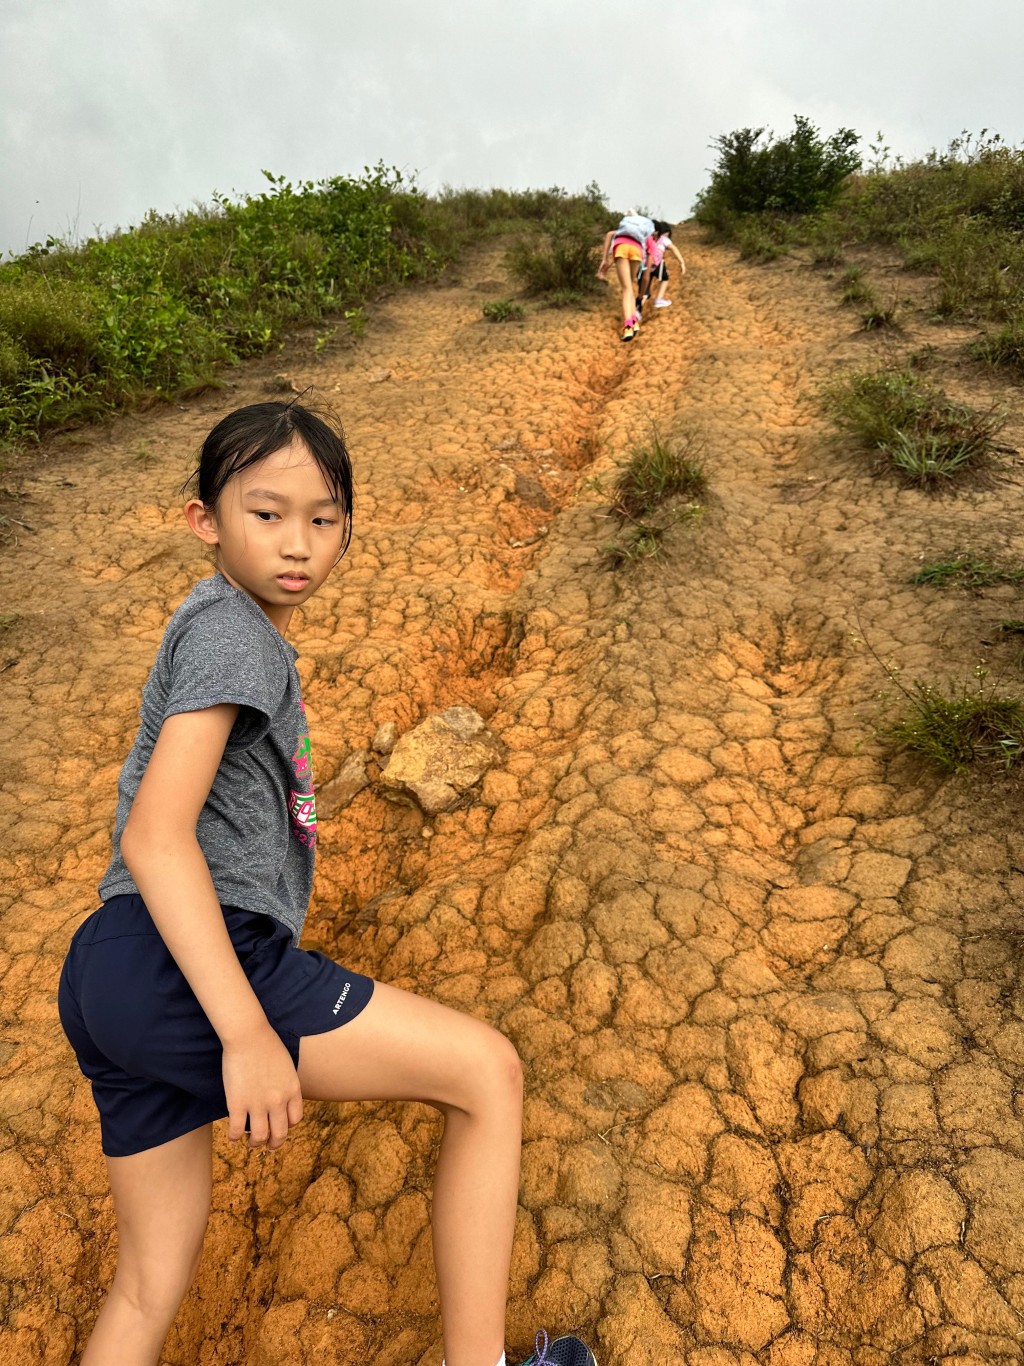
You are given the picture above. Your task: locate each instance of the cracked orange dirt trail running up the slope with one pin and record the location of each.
(764, 976)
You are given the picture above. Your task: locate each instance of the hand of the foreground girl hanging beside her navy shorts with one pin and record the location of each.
(261, 1083)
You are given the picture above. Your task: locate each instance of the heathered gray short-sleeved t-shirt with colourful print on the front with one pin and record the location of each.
(259, 827)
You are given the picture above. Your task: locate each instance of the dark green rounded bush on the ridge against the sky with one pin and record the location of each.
(758, 173)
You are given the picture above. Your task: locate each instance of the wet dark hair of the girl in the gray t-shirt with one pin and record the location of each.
(252, 434)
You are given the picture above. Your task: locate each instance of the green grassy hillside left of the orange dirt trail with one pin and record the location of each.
(155, 311)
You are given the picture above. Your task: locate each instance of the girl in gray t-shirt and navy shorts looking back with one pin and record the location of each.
(186, 996)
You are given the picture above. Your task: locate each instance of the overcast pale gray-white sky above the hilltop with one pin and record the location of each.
(113, 107)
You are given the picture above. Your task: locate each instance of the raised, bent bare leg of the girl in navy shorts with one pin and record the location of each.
(406, 1048)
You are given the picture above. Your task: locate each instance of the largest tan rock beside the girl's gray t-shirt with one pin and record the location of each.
(439, 762)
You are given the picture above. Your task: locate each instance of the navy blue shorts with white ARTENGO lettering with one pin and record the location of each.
(141, 1036)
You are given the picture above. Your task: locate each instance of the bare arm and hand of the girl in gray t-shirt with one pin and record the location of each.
(163, 854)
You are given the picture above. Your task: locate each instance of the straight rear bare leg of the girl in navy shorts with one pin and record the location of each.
(162, 1200)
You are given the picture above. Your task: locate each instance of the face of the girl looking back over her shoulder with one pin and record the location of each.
(278, 531)
